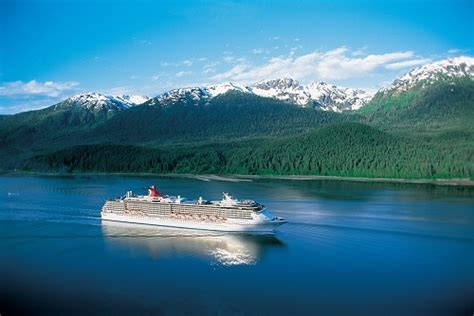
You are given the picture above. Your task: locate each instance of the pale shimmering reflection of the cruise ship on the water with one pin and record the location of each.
(221, 248)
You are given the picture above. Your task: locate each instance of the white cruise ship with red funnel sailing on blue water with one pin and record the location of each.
(228, 214)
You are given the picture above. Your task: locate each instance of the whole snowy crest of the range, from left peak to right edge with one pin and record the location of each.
(317, 94)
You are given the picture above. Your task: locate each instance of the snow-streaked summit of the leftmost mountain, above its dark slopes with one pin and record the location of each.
(96, 101)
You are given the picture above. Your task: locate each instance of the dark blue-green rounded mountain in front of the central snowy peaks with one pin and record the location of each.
(232, 115)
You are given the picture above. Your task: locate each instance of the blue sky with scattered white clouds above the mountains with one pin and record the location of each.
(52, 49)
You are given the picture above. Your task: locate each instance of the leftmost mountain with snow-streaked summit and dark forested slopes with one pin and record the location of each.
(59, 125)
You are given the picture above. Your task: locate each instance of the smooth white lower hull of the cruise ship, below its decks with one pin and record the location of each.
(249, 226)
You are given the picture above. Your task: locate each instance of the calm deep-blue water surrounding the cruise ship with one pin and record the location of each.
(349, 249)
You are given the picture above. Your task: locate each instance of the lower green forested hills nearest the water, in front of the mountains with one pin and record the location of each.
(345, 149)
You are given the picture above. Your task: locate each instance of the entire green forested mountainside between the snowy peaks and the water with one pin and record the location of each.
(426, 132)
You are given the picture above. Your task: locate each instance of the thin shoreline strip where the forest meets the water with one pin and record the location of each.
(242, 178)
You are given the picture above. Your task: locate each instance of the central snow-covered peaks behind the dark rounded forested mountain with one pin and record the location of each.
(318, 94)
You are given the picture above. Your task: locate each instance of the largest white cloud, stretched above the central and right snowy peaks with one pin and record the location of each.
(336, 64)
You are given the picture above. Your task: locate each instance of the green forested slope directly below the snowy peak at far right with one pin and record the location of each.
(445, 106)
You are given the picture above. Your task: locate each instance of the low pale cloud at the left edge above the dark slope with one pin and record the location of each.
(35, 88)
